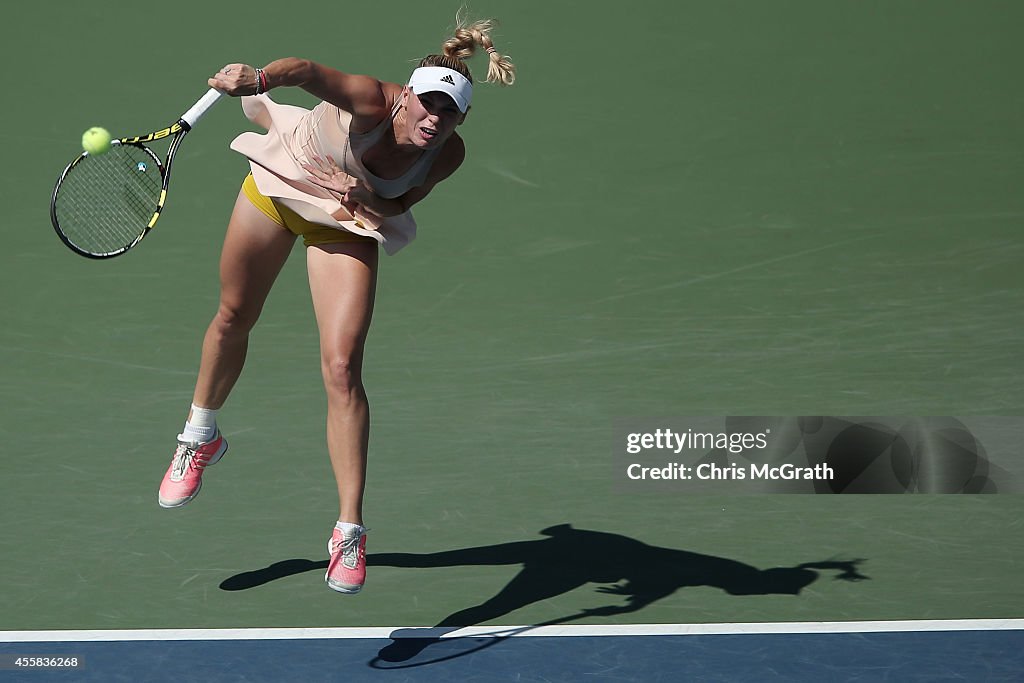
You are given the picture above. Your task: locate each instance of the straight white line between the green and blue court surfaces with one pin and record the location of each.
(378, 633)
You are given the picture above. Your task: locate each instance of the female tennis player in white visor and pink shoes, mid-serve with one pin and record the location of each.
(344, 177)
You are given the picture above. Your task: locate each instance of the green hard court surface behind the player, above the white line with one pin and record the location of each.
(711, 208)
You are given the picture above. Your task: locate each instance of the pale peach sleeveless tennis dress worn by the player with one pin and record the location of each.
(295, 136)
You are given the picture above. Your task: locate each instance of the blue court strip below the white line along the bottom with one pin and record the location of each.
(976, 655)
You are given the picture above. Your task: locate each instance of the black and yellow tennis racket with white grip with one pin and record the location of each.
(105, 204)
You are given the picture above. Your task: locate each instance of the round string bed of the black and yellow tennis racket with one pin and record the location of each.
(106, 202)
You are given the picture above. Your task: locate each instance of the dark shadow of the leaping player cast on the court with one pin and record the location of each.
(567, 560)
